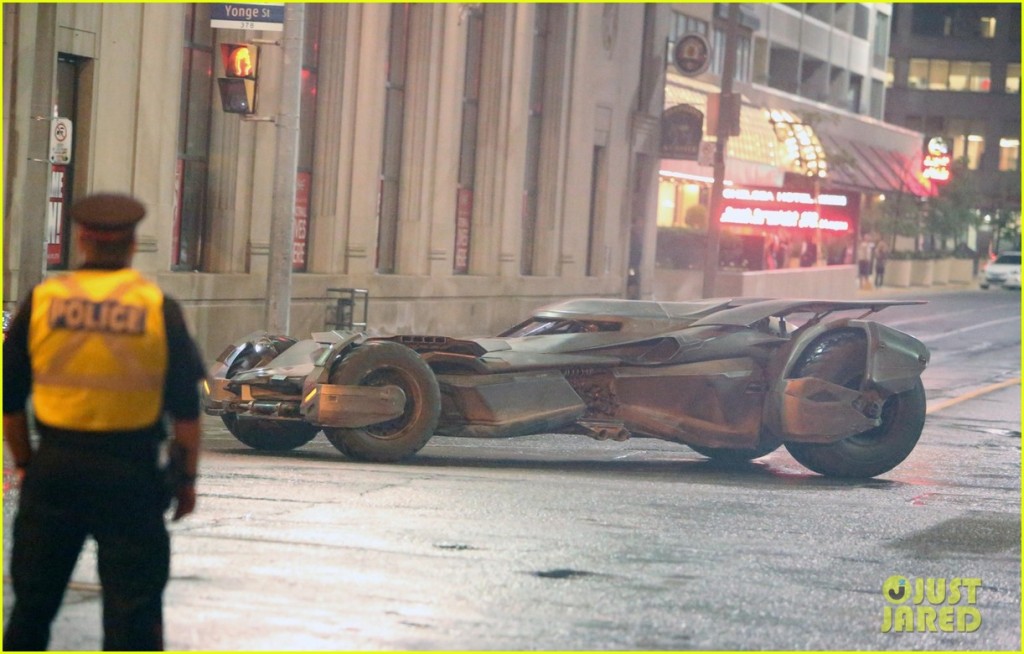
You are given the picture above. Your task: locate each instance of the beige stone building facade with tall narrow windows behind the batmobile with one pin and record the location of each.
(463, 163)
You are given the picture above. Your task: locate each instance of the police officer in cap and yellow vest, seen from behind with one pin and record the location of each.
(105, 356)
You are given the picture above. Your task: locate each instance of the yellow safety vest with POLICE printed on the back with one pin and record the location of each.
(99, 348)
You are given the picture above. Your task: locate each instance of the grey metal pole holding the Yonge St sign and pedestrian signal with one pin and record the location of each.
(279, 280)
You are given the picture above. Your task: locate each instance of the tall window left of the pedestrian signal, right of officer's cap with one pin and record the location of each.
(190, 212)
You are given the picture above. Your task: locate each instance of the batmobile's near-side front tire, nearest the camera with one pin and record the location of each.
(386, 364)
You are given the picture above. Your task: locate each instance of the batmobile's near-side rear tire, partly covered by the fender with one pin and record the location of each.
(840, 357)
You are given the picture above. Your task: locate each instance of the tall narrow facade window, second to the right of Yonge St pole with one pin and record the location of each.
(395, 113)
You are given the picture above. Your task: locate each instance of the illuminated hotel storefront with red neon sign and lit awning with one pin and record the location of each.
(798, 178)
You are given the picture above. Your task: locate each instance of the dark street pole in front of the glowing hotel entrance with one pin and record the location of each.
(726, 109)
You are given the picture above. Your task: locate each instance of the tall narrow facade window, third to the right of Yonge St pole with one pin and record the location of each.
(467, 149)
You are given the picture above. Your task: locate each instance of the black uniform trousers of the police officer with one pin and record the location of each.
(109, 489)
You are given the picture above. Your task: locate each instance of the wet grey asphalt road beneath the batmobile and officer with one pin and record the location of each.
(562, 543)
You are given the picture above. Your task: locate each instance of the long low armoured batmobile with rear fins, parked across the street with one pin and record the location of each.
(734, 379)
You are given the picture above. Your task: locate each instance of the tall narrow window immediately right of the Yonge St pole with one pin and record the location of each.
(308, 134)
